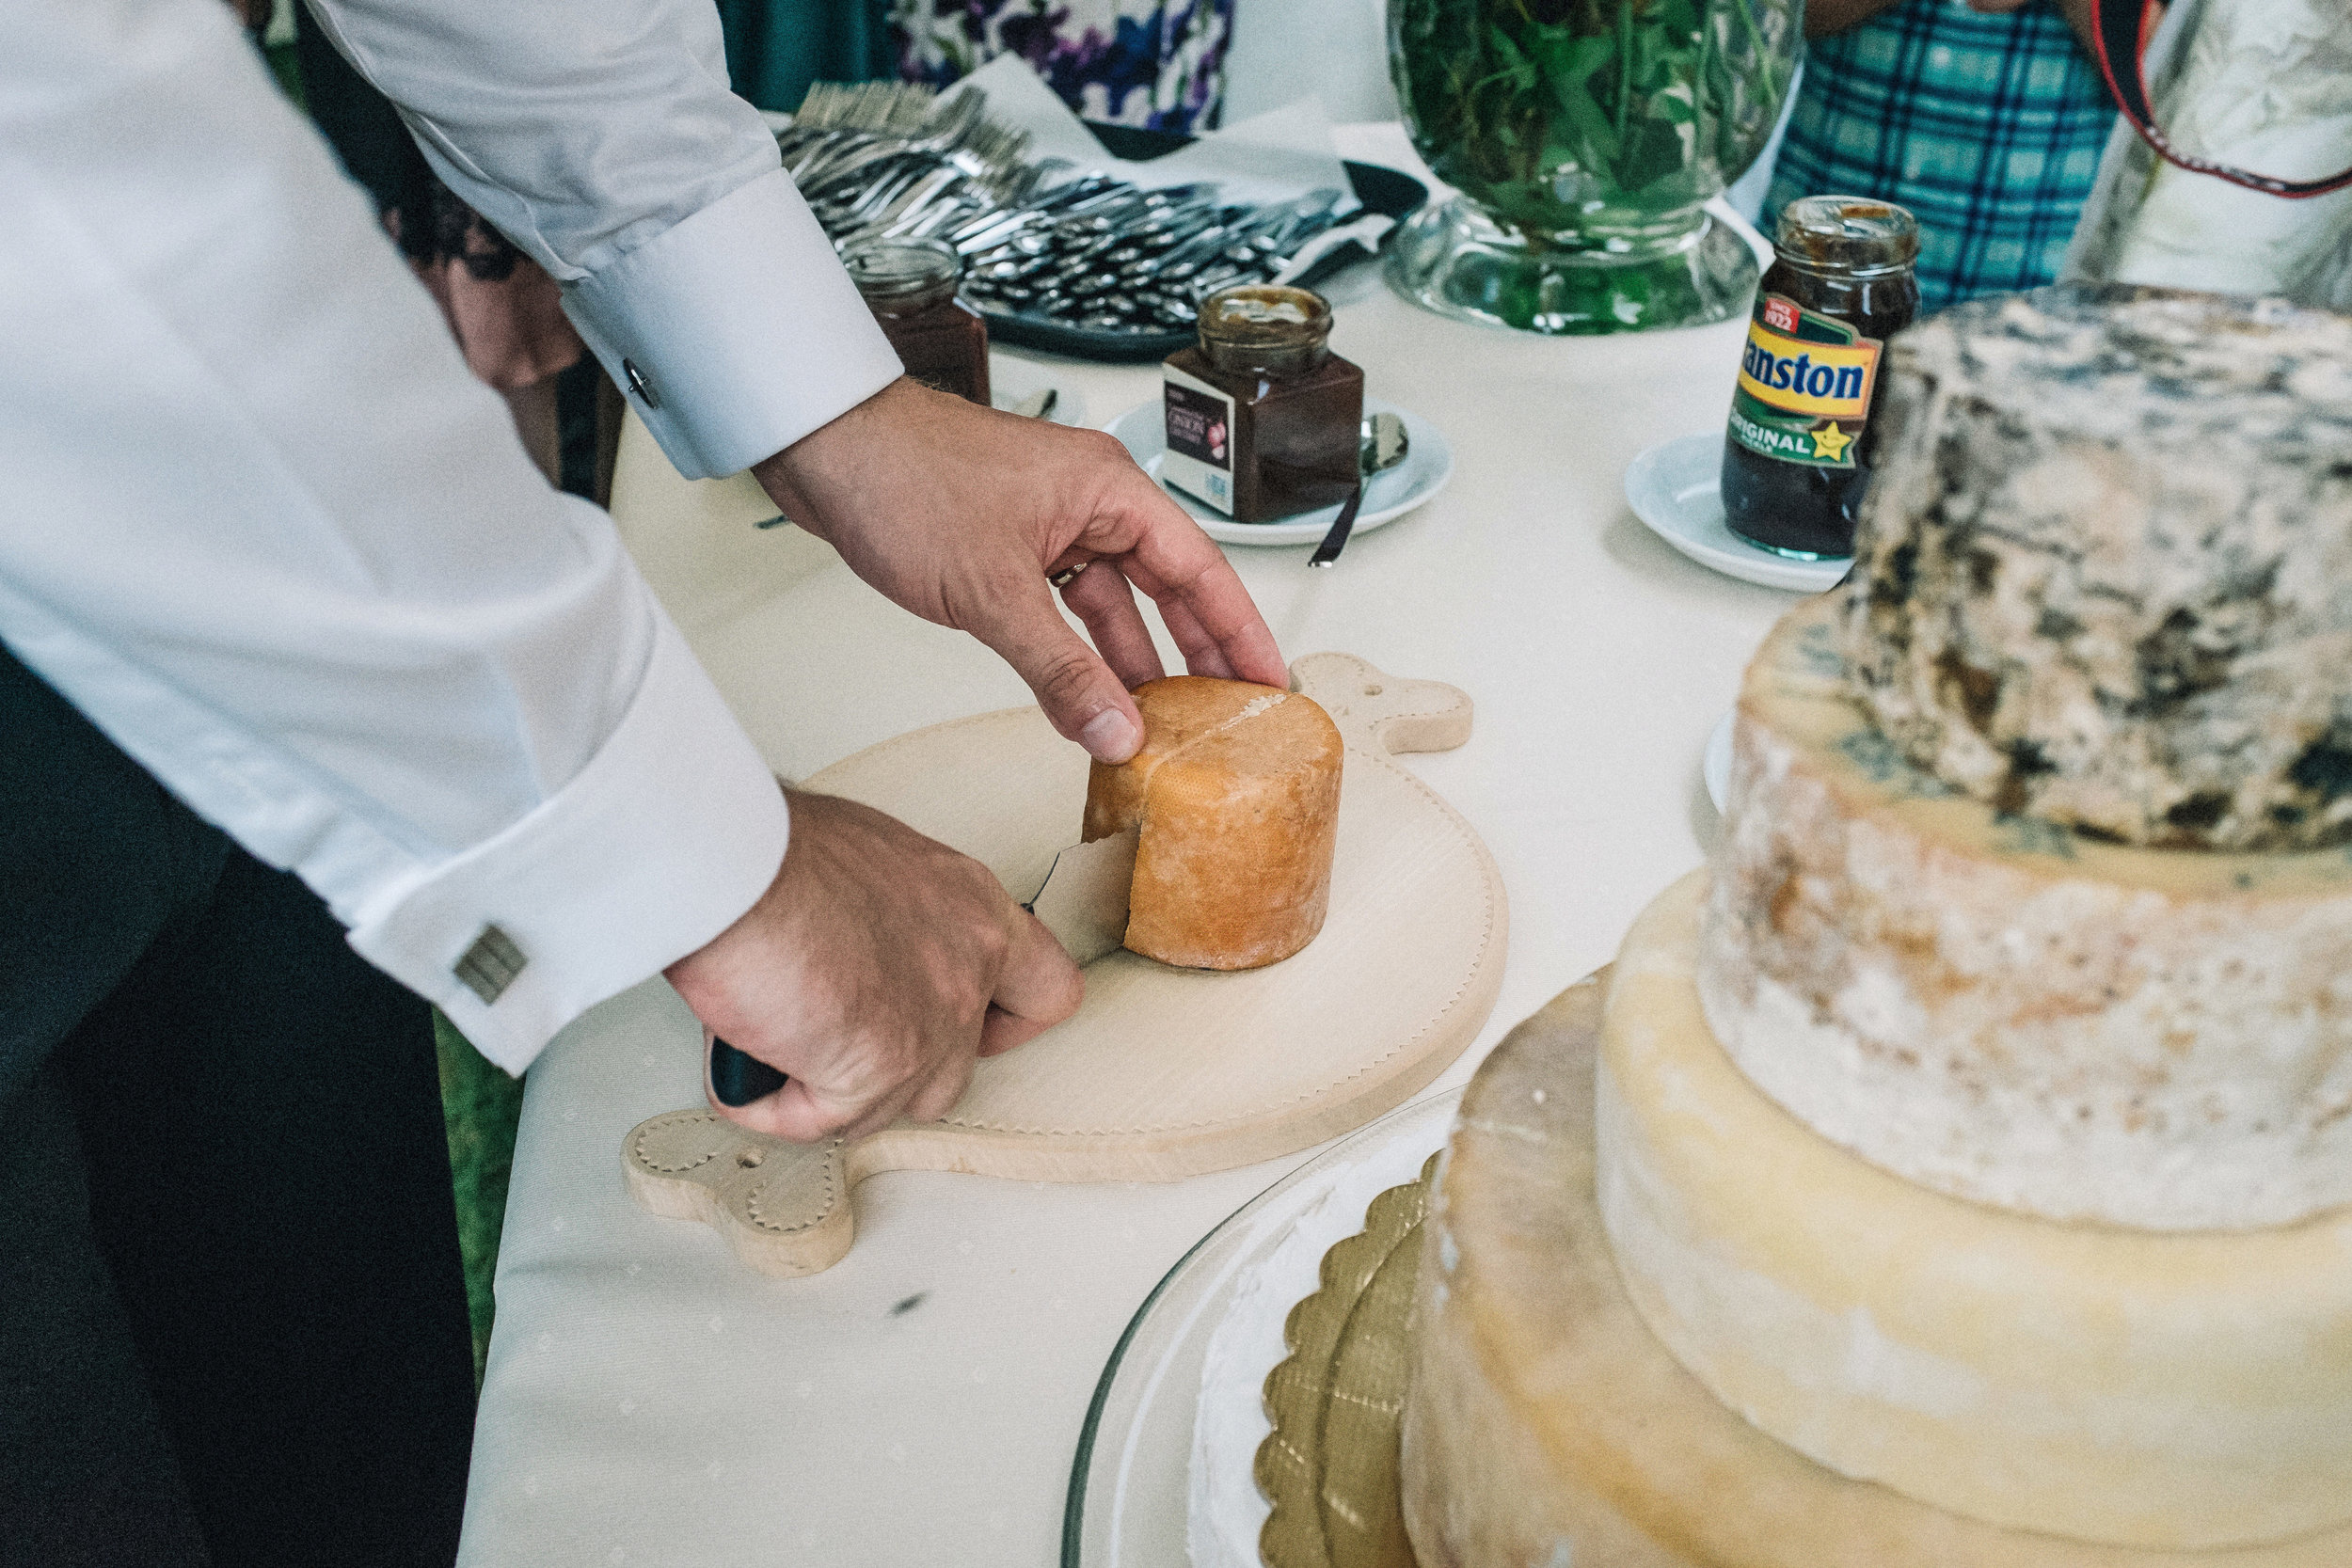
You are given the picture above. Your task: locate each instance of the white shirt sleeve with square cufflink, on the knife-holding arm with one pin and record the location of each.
(272, 537)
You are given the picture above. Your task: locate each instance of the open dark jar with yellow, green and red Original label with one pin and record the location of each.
(1798, 450)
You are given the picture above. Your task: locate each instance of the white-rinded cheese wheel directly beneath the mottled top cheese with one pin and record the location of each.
(2007, 1012)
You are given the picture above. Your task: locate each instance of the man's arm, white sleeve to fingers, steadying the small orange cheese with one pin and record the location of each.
(599, 135)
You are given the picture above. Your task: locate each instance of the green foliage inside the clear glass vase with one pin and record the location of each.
(1563, 116)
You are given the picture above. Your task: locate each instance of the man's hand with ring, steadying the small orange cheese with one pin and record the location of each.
(961, 514)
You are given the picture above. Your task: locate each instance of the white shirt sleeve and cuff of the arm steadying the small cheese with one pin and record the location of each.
(601, 138)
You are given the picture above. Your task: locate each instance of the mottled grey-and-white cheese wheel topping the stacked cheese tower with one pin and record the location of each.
(2104, 575)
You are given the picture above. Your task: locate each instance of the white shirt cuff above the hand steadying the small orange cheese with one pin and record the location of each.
(735, 333)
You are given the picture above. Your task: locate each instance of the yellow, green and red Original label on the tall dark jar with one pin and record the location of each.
(1805, 384)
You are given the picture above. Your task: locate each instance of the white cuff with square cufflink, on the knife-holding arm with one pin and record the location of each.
(671, 833)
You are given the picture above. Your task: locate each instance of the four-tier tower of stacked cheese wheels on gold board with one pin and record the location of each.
(1967, 1165)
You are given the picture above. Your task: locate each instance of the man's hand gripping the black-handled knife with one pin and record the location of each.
(874, 972)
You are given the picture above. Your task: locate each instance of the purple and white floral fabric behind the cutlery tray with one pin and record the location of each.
(1128, 62)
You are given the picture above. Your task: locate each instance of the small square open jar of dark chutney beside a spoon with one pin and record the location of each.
(1262, 417)
